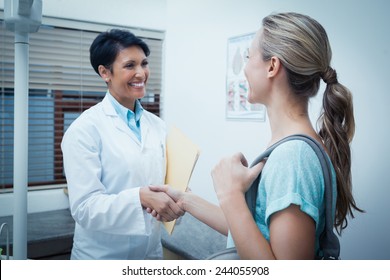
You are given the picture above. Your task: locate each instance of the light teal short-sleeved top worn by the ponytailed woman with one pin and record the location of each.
(292, 175)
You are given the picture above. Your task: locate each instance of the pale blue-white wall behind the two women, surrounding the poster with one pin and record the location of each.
(194, 89)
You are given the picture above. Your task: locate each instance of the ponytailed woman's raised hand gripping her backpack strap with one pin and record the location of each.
(232, 175)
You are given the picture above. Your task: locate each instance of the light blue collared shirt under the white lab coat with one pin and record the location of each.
(132, 119)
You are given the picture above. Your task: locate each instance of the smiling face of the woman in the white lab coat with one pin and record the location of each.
(127, 77)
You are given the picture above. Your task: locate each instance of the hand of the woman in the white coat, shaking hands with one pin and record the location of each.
(163, 205)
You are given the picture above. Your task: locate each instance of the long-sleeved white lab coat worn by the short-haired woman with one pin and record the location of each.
(105, 165)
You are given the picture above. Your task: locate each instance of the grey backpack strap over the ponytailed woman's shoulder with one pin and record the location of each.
(329, 242)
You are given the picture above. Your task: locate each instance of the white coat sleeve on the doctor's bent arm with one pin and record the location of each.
(91, 205)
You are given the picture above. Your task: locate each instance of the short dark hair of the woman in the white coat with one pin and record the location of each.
(106, 46)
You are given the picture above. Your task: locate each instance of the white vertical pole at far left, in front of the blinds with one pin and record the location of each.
(20, 145)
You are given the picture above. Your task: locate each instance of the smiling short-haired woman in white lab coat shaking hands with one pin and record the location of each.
(112, 153)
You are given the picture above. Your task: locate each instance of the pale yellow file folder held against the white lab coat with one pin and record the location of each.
(182, 155)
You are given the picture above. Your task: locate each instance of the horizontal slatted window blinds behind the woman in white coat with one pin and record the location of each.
(62, 84)
